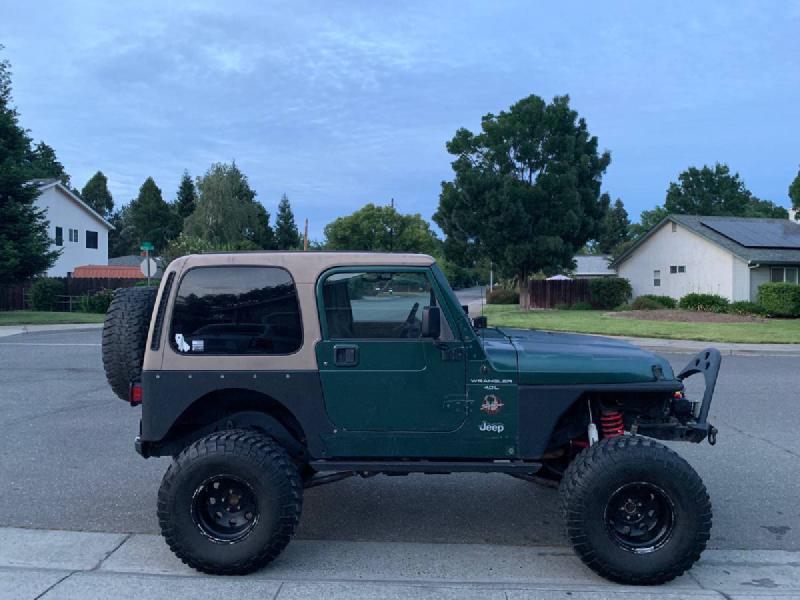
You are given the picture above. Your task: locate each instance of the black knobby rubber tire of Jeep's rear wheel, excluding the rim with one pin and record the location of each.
(252, 457)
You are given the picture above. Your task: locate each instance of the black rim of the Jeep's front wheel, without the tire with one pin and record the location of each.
(640, 517)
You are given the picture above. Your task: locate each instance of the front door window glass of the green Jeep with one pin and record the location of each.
(376, 305)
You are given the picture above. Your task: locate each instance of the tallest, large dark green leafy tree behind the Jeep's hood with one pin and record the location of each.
(526, 192)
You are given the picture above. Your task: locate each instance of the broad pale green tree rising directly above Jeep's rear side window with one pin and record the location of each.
(227, 213)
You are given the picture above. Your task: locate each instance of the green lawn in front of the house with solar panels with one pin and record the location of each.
(776, 331)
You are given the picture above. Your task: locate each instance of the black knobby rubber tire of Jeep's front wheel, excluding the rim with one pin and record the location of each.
(610, 465)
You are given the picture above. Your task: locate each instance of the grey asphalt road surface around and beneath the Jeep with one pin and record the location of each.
(68, 463)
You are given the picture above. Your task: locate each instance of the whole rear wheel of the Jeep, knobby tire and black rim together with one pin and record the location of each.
(230, 502)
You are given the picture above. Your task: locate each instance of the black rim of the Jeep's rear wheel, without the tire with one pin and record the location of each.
(225, 509)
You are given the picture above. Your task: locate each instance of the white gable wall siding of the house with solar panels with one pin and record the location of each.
(709, 269)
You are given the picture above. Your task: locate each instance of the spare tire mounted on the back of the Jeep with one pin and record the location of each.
(125, 336)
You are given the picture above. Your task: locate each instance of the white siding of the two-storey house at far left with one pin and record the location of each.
(64, 212)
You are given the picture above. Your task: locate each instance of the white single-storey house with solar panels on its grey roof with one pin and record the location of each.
(729, 256)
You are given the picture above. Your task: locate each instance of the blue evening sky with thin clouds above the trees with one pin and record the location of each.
(339, 104)
